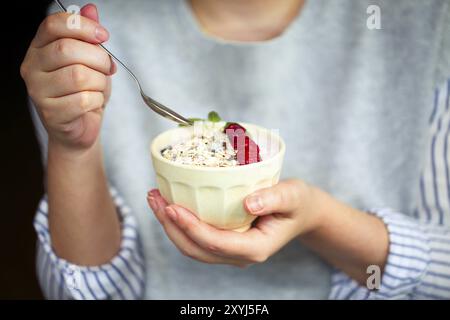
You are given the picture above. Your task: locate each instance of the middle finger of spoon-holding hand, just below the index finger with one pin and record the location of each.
(66, 52)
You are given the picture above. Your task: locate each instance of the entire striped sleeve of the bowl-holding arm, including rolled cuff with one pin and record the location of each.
(418, 262)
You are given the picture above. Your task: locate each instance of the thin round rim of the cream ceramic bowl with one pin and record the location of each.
(157, 153)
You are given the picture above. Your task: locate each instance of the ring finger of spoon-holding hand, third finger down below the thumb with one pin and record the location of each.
(73, 79)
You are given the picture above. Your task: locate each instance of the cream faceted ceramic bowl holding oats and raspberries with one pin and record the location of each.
(216, 195)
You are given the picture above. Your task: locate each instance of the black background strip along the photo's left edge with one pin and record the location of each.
(20, 166)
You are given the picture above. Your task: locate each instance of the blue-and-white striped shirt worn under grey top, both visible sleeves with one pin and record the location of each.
(418, 264)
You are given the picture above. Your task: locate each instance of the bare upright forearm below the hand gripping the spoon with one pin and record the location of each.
(83, 222)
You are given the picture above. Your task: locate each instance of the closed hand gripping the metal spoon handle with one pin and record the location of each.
(68, 78)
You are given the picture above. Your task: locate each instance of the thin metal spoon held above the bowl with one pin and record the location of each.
(153, 104)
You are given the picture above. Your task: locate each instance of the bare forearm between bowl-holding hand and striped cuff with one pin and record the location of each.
(347, 238)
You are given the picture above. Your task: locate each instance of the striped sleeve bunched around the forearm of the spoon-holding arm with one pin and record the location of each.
(123, 278)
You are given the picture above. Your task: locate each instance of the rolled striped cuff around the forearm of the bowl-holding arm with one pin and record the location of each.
(406, 265)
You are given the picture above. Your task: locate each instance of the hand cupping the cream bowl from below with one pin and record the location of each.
(284, 212)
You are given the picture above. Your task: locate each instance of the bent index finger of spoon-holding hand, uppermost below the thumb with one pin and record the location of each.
(57, 26)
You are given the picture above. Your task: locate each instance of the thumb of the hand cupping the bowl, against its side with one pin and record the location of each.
(281, 198)
